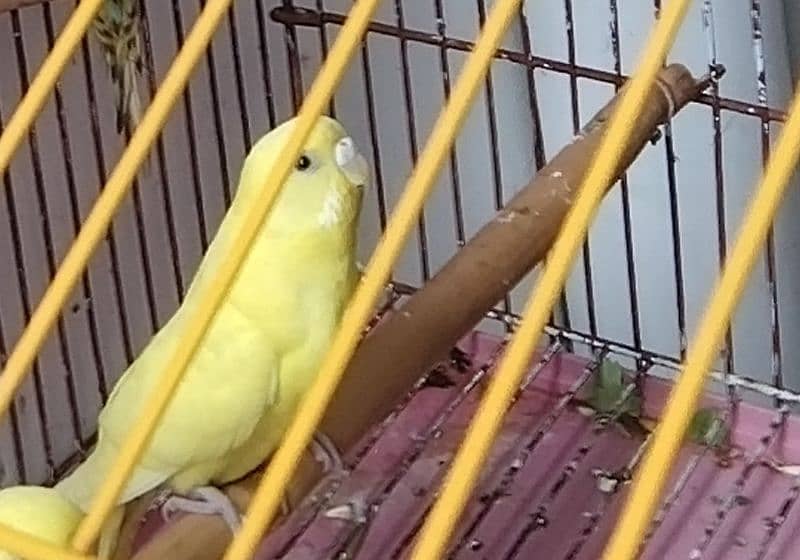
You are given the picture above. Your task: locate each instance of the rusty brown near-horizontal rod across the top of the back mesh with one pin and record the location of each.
(310, 18)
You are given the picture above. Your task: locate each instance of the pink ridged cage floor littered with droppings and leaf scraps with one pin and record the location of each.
(548, 489)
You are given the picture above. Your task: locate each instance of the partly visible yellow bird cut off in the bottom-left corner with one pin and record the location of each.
(40, 512)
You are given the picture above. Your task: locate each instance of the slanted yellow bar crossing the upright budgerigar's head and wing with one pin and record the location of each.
(318, 97)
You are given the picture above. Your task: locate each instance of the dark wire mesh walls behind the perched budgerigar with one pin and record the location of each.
(635, 294)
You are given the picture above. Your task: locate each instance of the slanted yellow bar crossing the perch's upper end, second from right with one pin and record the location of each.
(473, 451)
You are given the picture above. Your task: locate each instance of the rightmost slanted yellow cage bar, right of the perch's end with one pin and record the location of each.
(648, 486)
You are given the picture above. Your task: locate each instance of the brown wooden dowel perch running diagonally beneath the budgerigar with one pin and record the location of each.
(407, 344)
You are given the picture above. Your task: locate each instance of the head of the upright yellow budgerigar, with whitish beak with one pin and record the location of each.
(325, 187)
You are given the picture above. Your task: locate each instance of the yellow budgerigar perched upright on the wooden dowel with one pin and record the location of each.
(264, 346)
